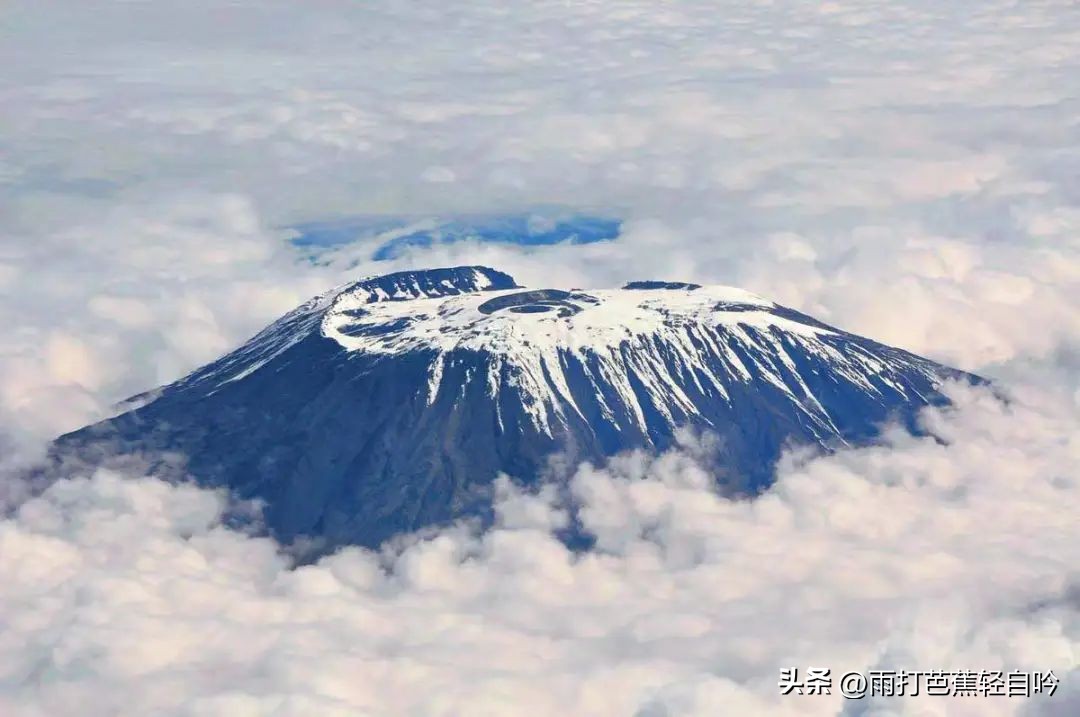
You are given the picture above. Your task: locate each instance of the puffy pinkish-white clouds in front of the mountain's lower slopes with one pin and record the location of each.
(127, 597)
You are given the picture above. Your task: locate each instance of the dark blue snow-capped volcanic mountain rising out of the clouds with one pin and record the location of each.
(395, 402)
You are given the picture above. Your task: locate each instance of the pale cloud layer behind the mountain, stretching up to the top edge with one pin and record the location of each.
(922, 155)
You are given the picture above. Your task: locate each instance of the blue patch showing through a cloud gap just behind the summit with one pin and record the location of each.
(520, 229)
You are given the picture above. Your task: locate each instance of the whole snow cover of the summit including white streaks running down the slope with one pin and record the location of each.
(652, 337)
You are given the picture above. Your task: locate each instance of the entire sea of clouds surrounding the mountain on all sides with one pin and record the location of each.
(907, 171)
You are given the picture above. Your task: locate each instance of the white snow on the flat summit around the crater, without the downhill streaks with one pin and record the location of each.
(508, 319)
